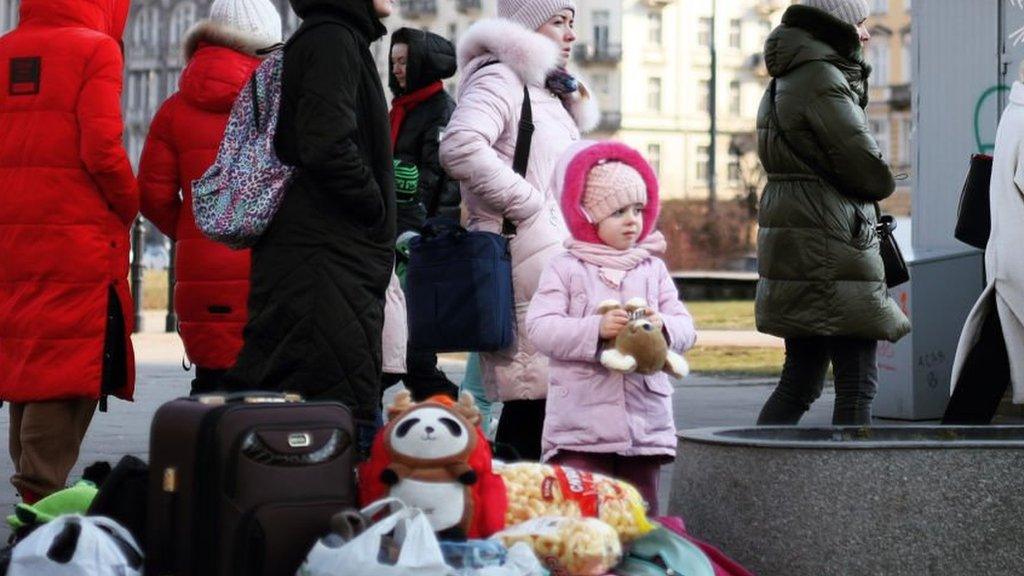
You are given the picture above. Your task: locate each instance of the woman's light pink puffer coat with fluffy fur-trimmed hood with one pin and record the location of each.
(478, 150)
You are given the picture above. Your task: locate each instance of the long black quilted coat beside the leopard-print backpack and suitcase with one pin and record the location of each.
(320, 273)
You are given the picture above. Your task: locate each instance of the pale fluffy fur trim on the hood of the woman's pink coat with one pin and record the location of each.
(531, 56)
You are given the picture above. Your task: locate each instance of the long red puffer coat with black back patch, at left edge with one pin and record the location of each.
(67, 201)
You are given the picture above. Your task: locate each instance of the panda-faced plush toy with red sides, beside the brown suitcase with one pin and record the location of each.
(434, 457)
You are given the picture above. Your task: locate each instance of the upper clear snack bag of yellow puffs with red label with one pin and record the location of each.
(542, 490)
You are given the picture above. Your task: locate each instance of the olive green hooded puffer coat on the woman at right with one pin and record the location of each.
(822, 274)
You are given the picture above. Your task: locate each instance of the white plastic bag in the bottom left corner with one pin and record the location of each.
(77, 546)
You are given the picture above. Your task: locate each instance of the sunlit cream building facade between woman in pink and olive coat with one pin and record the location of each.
(666, 112)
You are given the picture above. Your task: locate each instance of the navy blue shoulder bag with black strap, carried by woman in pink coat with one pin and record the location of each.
(459, 283)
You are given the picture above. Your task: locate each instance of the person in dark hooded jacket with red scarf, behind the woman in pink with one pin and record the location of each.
(420, 111)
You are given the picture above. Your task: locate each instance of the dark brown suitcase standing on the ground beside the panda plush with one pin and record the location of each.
(244, 484)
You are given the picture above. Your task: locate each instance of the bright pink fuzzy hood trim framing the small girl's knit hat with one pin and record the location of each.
(571, 180)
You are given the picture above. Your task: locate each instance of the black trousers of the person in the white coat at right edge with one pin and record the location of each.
(985, 379)
